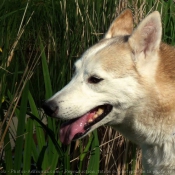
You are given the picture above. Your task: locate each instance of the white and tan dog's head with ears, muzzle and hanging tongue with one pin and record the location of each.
(107, 81)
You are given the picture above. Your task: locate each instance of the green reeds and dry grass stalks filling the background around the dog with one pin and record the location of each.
(39, 42)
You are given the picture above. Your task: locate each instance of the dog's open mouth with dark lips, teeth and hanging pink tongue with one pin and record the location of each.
(76, 128)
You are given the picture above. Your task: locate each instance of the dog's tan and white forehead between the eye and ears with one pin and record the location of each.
(109, 54)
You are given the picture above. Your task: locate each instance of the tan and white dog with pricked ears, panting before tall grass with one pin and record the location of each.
(127, 81)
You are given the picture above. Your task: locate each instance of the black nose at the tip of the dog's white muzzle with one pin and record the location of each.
(50, 108)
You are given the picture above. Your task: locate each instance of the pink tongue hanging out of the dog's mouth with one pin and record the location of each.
(68, 132)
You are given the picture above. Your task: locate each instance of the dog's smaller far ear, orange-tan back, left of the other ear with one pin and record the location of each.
(122, 25)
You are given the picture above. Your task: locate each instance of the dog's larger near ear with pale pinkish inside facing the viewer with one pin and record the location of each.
(147, 36)
